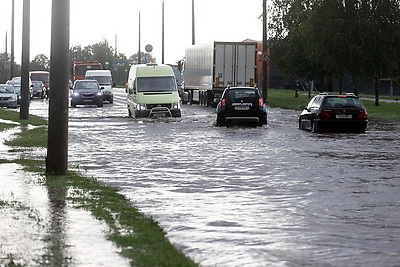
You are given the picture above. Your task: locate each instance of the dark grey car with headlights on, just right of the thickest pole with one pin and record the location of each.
(86, 92)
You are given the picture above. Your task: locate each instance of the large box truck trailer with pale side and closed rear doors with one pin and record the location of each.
(210, 68)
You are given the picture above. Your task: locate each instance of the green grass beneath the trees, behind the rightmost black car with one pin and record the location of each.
(286, 99)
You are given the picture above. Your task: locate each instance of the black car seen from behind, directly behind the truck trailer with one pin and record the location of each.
(241, 105)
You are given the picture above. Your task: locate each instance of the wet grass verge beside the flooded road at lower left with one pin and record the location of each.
(140, 237)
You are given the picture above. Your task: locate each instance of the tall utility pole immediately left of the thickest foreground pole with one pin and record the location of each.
(25, 96)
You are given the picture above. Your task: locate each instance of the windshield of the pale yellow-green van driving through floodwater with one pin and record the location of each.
(156, 84)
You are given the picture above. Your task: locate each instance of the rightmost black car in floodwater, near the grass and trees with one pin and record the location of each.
(334, 113)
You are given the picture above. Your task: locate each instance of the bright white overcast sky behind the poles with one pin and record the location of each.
(92, 21)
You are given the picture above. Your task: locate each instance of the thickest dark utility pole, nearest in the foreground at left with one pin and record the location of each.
(57, 144)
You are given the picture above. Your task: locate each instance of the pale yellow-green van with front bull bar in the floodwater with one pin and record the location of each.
(152, 91)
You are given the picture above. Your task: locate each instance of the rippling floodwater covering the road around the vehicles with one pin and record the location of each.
(270, 196)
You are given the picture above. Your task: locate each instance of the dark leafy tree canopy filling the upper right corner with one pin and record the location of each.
(333, 37)
